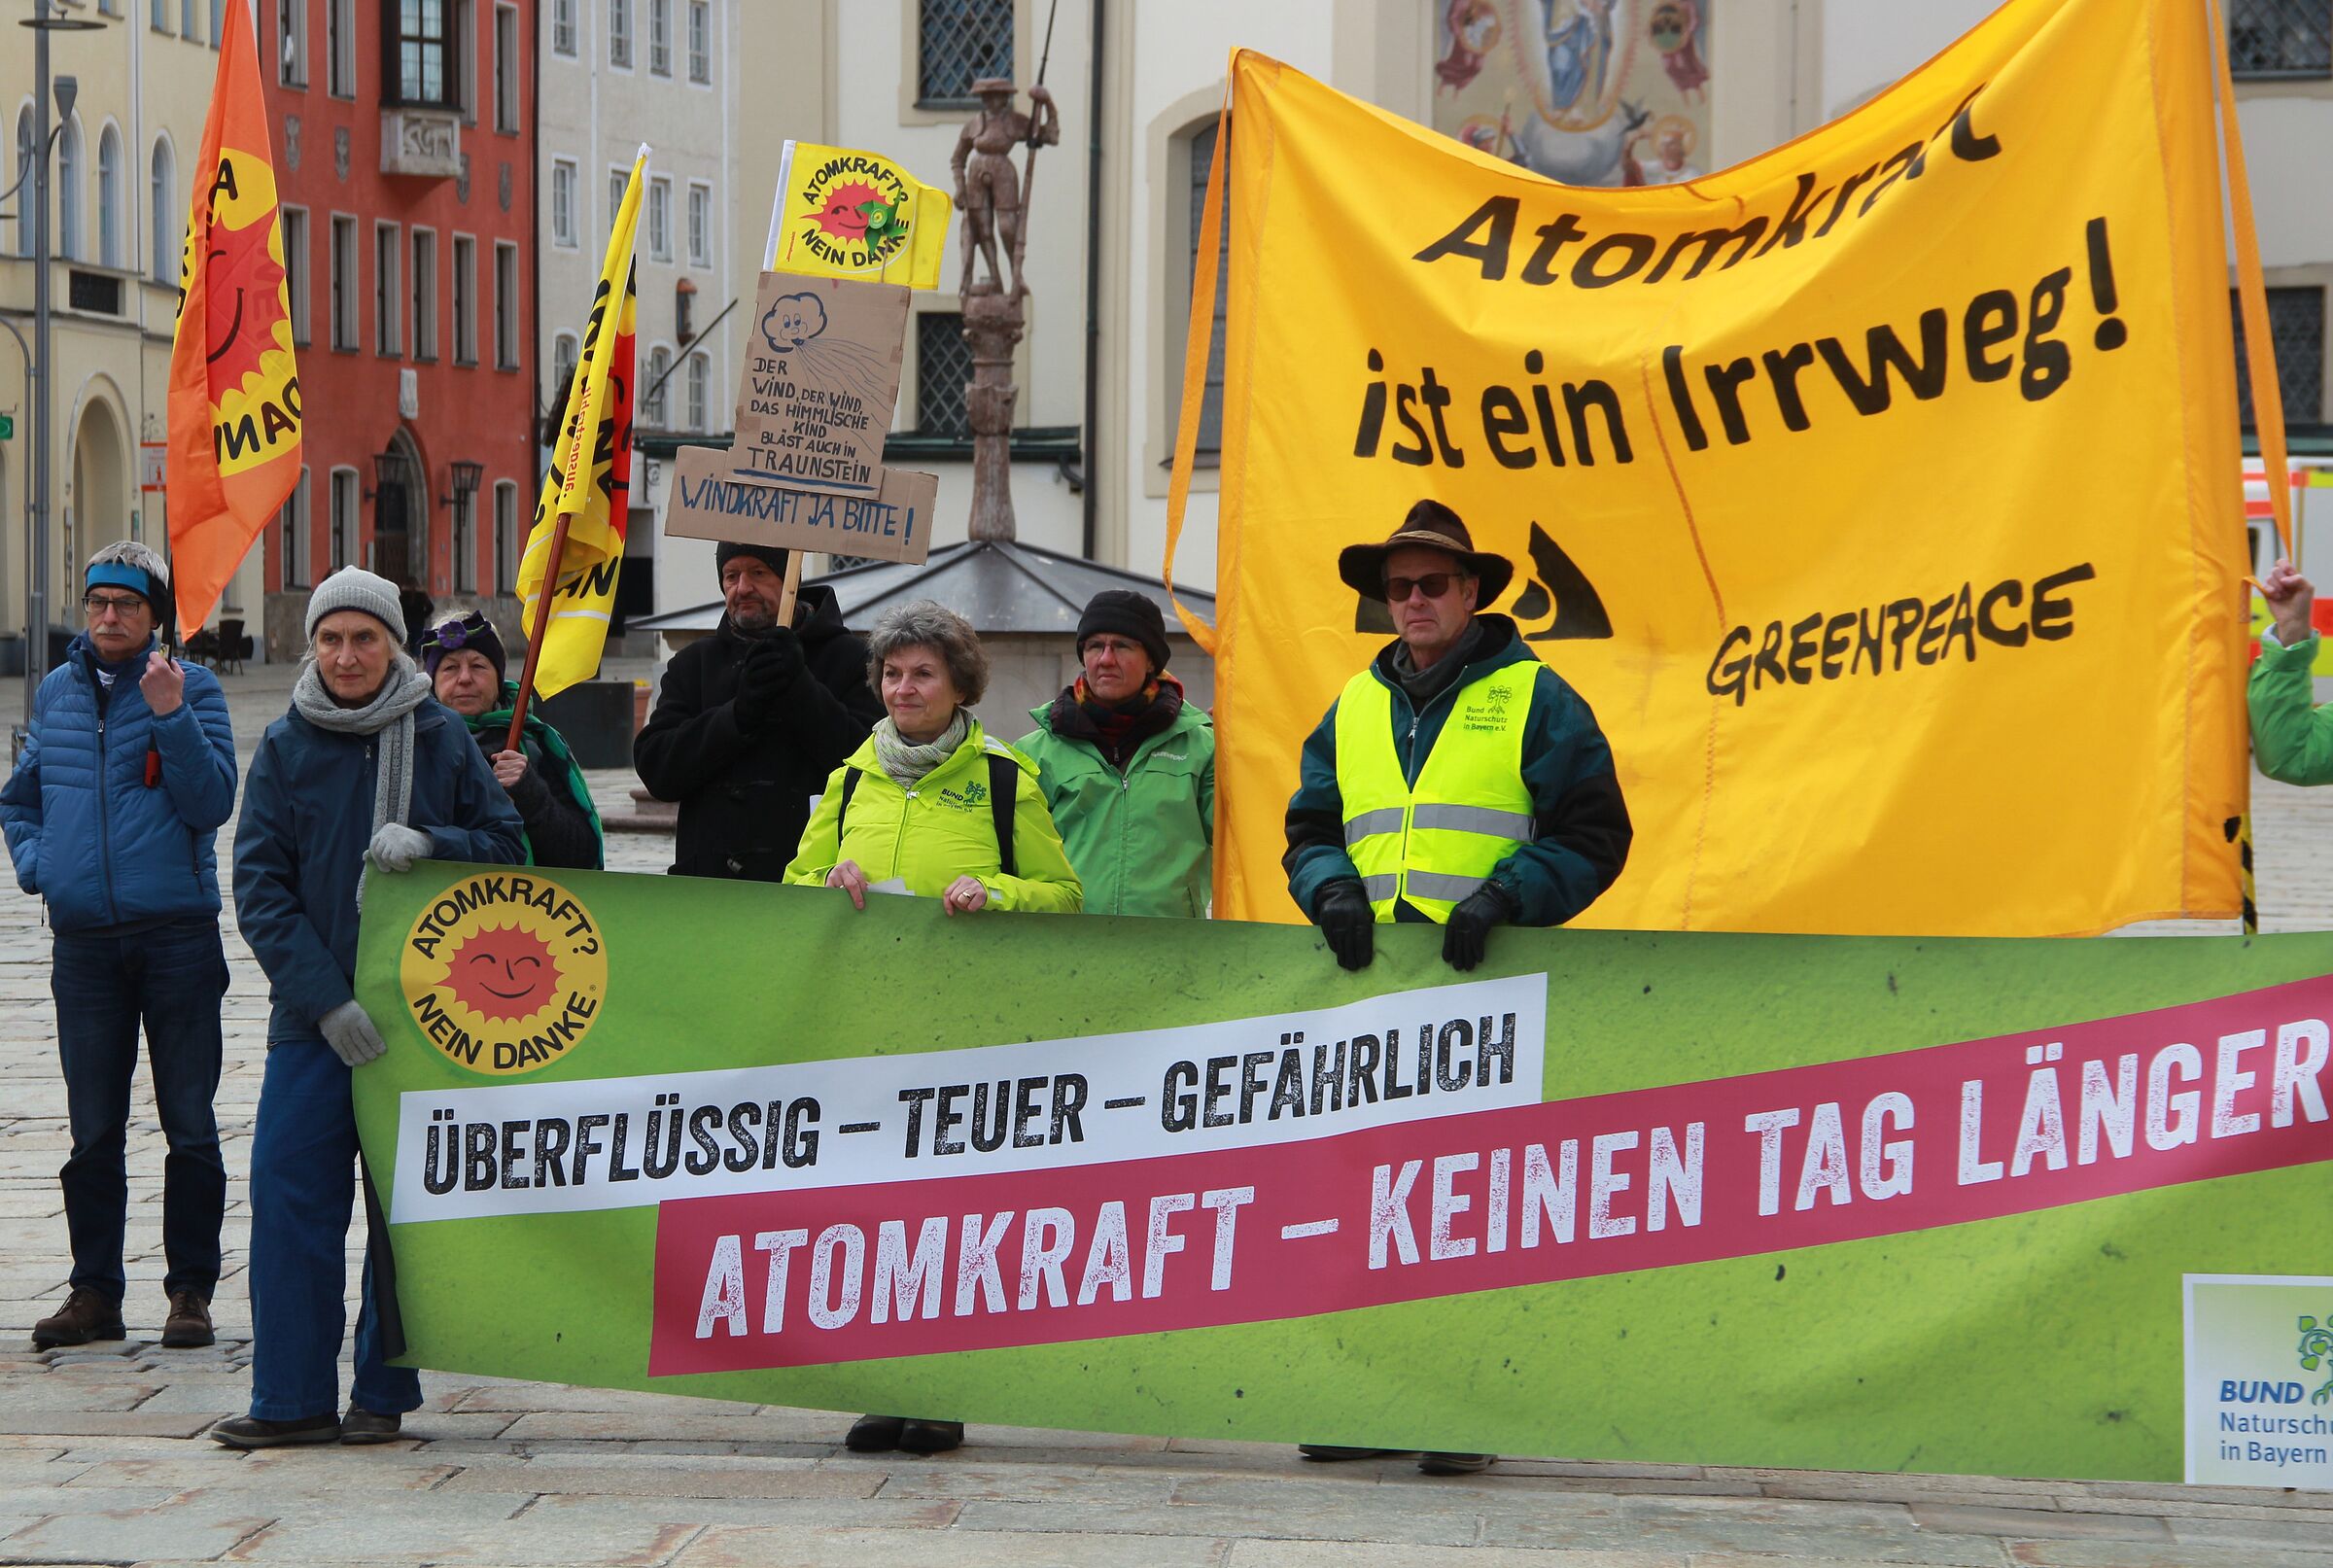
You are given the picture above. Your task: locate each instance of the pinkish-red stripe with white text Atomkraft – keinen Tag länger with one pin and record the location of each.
(1644, 1179)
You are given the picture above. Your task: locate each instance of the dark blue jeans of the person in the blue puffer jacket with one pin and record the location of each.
(171, 979)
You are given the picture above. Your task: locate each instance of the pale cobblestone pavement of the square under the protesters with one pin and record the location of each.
(101, 1452)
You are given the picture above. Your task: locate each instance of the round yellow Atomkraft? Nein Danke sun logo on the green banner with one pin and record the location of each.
(505, 972)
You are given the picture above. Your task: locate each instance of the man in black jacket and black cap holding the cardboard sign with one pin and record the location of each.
(752, 720)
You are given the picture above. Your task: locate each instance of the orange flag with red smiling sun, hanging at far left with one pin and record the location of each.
(234, 384)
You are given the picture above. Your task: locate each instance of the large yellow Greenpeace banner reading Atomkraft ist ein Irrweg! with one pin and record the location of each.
(1879, 493)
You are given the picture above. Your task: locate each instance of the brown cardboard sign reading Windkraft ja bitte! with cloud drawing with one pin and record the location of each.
(813, 412)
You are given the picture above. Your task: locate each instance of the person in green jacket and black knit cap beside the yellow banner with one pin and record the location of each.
(1130, 769)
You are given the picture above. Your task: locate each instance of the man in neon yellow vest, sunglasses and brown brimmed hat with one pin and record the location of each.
(1457, 778)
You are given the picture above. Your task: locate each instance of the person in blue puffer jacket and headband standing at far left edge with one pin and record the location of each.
(111, 818)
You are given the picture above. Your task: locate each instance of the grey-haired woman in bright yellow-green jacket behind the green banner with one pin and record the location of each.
(934, 804)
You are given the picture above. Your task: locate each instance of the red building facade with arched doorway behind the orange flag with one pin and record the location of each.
(405, 150)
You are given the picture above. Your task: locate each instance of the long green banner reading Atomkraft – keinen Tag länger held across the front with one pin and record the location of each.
(1742, 1200)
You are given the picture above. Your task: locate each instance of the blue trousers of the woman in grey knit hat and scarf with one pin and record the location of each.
(304, 1182)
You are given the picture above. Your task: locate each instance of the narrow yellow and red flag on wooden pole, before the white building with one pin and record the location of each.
(591, 475)
